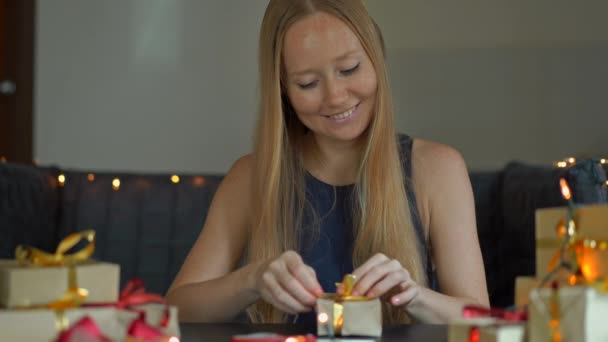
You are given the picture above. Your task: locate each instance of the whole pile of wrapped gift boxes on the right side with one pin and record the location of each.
(567, 299)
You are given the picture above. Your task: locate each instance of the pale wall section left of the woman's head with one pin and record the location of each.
(150, 85)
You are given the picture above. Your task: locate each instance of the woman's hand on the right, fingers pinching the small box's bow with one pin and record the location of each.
(381, 275)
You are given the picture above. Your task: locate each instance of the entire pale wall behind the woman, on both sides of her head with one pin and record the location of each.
(161, 85)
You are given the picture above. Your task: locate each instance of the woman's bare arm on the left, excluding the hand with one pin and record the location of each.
(206, 289)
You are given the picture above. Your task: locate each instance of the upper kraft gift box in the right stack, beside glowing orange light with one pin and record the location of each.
(589, 242)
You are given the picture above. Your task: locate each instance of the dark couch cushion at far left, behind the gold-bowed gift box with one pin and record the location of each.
(29, 198)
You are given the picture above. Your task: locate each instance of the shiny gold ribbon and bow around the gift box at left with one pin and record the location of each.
(74, 296)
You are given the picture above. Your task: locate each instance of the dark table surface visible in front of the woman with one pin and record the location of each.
(224, 331)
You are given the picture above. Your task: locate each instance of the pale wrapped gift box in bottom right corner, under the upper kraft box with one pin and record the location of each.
(582, 313)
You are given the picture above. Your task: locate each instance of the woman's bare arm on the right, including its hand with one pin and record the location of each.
(447, 212)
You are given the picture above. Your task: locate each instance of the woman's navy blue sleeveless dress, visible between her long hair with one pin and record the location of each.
(330, 253)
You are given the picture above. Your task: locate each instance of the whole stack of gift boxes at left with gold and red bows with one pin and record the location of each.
(67, 296)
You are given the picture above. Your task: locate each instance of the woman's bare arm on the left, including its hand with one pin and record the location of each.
(208, 290)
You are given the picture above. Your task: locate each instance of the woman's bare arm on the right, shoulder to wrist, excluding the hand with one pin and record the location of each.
(449, 208)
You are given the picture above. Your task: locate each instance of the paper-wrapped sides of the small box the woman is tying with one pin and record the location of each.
(360, 318)
